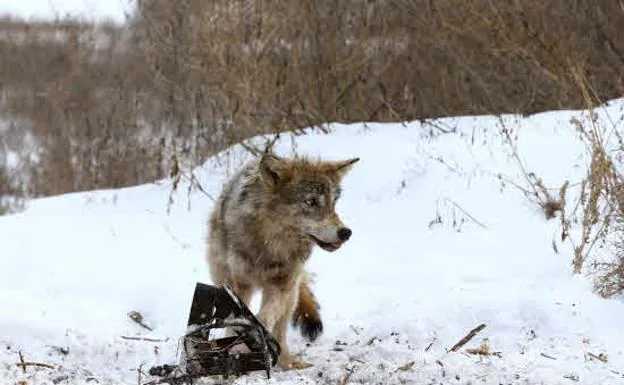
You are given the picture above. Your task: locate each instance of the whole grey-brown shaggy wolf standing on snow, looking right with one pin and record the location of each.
(262, 230)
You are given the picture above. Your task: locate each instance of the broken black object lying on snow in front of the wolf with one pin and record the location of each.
(216, 307)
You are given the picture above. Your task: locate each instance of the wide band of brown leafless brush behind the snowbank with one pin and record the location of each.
(107, 105)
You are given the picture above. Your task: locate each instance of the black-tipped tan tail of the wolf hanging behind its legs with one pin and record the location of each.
(306, 315)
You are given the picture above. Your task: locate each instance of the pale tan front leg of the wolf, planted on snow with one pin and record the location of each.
(277, 307)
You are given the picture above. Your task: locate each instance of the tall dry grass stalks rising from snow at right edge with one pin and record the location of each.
(598, 208)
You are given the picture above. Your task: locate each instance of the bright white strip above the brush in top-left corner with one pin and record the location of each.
(110, 10)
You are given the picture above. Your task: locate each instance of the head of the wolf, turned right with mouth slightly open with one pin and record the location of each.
(303, 194)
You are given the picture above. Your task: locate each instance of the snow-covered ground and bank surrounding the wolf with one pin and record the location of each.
(440, 245)
